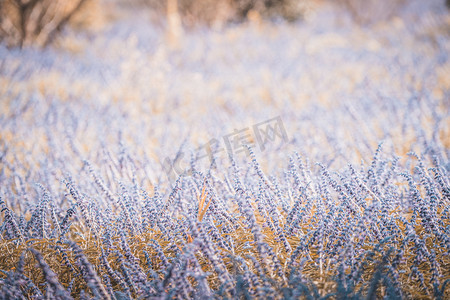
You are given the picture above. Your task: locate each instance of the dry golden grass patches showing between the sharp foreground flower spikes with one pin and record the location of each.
(323, 278)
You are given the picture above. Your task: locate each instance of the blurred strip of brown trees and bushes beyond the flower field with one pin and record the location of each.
(39, 22)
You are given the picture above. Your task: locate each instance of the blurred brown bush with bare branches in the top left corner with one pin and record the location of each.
(38, 22)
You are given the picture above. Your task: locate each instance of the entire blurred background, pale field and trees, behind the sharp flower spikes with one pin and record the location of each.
(79, 76)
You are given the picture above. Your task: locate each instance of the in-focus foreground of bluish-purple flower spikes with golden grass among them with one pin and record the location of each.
(382, 232)
